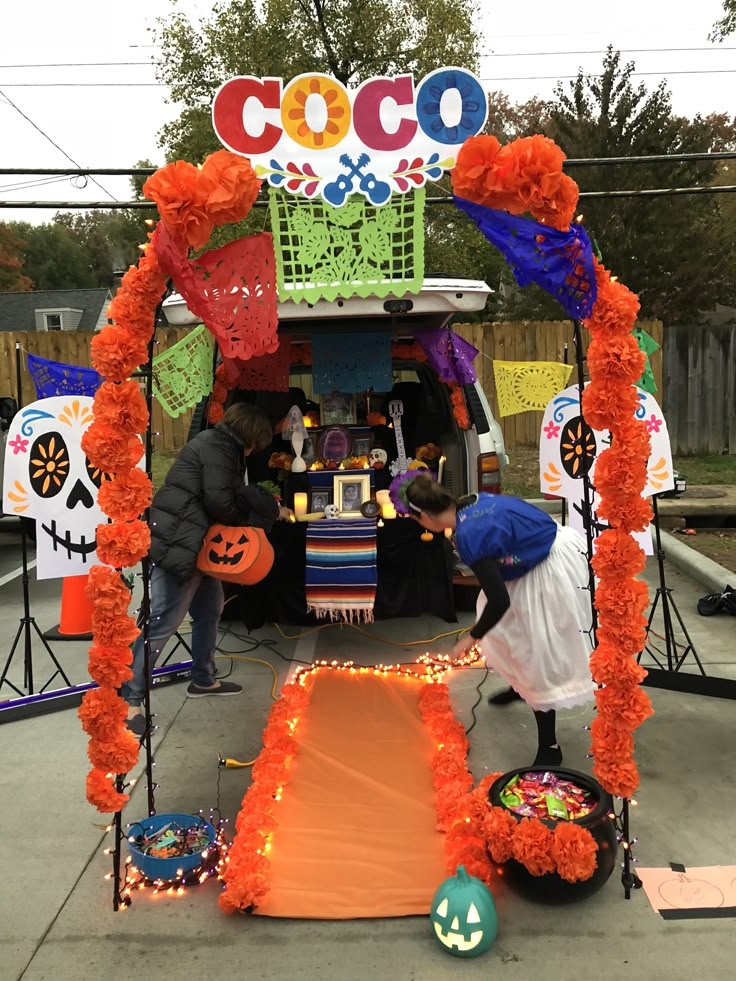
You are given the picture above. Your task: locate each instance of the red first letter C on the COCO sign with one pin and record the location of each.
(227, 114)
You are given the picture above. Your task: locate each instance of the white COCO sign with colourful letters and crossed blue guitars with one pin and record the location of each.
(314, 137)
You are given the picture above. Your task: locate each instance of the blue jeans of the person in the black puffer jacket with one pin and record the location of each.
(204, 598)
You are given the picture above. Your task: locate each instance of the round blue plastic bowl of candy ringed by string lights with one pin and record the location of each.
(169, 846)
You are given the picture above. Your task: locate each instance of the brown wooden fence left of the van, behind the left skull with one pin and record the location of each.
(72, 347)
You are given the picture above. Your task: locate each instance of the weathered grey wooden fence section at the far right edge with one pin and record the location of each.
(700, 388)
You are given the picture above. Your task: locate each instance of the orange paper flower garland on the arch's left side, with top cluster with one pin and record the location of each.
(192, 201)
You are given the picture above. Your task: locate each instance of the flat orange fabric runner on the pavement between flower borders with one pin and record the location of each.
(356, 833)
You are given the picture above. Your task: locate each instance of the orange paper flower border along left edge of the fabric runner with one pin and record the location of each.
(247, 874)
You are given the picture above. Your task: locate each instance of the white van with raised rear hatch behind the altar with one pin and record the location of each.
(476, 456)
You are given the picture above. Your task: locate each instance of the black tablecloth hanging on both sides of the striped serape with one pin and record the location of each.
(414, 577)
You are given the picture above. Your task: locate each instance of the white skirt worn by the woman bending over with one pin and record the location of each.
(541, 646)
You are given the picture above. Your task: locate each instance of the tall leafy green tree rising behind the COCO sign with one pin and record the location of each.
(349, 39)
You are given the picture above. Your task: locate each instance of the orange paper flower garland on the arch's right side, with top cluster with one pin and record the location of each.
(526, 175)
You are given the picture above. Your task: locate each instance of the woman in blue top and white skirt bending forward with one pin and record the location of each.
(534, 616)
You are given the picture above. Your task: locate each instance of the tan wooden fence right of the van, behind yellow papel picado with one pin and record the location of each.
(533, 341)
